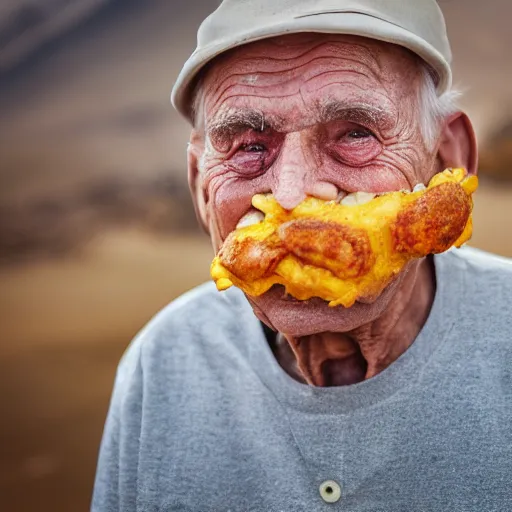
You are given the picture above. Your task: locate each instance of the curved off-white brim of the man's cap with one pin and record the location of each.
(347, 23)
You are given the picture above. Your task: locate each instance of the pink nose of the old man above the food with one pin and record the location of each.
(290, 173)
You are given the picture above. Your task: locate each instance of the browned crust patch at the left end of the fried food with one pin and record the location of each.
(251, 259)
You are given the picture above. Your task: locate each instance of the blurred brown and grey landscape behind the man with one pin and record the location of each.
(97, 231)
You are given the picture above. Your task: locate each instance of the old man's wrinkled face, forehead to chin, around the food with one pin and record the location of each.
(306, 115)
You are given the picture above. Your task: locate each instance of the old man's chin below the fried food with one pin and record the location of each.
(303, 318)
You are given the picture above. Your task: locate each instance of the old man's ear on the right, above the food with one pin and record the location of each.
(458, 146)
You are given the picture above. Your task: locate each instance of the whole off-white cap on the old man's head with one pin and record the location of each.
(414, 24)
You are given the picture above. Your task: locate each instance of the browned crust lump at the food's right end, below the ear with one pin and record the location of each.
(433, 222)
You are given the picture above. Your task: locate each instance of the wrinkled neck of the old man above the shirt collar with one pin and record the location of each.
(334, 359)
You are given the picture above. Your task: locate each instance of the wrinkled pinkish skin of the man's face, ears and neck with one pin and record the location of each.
(313, 114)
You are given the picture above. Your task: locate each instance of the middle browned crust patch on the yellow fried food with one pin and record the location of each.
(345, 251)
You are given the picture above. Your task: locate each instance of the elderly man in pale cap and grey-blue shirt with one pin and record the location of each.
(266, 402)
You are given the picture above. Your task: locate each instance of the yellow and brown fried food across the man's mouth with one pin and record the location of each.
(345, 252)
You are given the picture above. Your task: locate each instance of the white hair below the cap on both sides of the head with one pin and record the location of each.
(432, 111)
